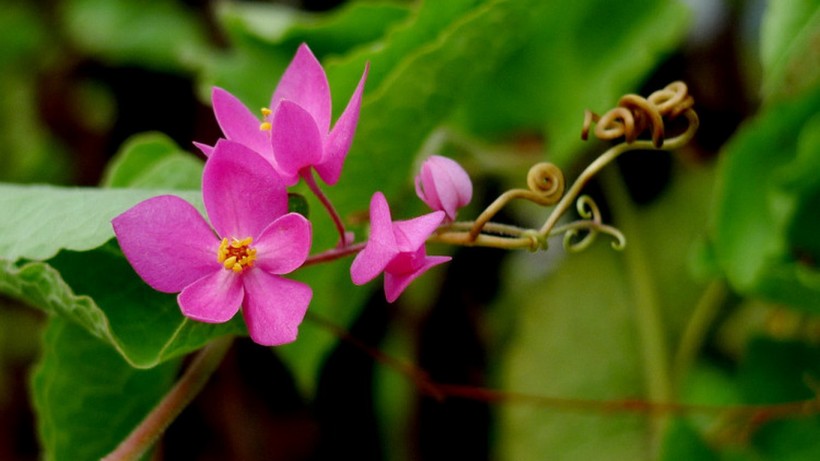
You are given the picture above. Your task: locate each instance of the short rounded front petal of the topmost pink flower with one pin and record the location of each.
(296, 140)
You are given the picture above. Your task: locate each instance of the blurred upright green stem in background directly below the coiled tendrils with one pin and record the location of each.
(651, 332)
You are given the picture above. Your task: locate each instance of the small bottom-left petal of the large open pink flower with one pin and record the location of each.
(214, 298)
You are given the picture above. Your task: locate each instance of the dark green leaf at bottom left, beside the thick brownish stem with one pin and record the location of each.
(86, 397)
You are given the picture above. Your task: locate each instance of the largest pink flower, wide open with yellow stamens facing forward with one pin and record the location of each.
(174, 249)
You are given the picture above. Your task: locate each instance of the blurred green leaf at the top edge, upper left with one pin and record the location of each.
(163, 35)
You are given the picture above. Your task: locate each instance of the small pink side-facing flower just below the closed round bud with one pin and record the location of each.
(395, 248)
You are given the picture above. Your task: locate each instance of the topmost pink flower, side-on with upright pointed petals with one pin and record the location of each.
(294, 133)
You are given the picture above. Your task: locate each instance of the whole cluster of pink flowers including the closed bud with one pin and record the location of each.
(236, 259)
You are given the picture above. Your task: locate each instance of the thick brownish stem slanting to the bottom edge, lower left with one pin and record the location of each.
(189, 385)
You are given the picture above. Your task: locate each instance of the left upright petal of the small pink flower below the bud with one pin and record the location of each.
(381, 246)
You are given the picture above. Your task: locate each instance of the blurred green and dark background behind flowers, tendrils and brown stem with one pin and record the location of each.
(713, 302)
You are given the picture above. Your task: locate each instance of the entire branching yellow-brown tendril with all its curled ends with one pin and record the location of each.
(633, 116)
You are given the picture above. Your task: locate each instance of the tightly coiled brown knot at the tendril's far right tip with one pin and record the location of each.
(636, 114)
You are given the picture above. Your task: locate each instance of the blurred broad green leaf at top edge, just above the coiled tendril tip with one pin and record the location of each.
(578, 55)
